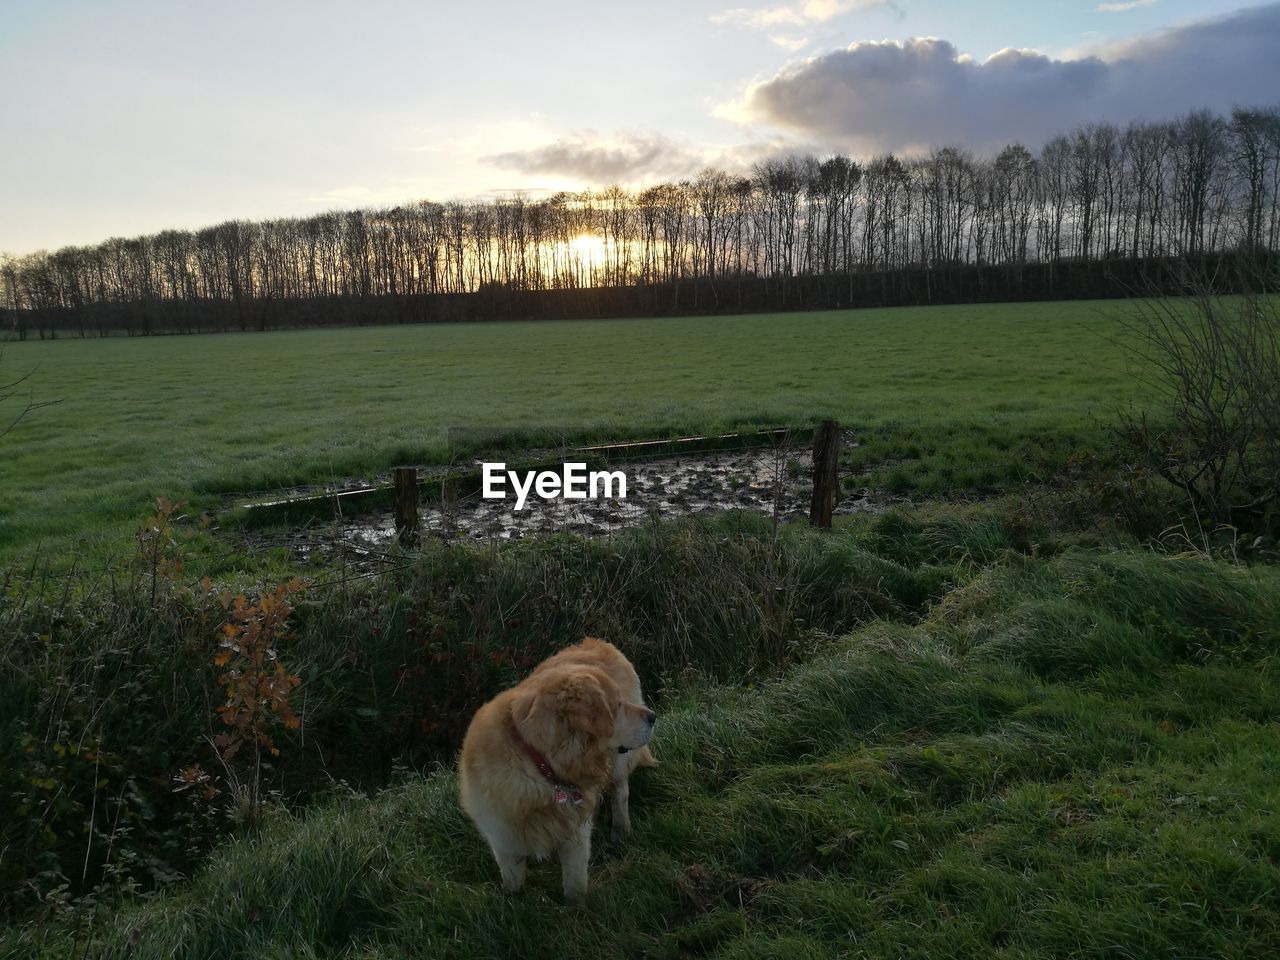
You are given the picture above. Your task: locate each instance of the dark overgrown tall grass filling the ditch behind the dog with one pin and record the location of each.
(108, 689)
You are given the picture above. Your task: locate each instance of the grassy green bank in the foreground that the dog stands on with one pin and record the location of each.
(1068, 755)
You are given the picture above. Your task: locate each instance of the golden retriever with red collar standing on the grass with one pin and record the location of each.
(538, 758)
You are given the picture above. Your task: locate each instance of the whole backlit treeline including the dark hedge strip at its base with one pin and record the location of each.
(1100, 212)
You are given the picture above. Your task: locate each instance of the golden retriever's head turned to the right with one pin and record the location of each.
(580, 702)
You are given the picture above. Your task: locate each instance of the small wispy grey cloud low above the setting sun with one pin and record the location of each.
(592, 159)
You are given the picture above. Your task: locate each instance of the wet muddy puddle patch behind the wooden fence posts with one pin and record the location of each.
(659, 488)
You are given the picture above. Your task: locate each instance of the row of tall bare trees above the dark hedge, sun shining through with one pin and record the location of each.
(1183, 188)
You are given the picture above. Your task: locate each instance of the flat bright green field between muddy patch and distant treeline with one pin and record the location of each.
(964, 388)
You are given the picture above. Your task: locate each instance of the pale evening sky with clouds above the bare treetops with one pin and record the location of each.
(127, 117)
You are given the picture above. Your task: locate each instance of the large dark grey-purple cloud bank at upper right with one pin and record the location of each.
(876, 97)
